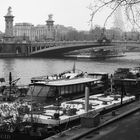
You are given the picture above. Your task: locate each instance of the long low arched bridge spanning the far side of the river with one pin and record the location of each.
(53, 48)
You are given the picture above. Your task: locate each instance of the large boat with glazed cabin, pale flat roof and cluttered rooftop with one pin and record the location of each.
(68, 84)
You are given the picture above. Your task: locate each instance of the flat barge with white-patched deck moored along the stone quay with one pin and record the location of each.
(71, 111)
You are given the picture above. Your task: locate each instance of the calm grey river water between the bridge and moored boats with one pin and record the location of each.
(25, 68)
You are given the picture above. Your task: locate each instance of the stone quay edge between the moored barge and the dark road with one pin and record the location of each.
(106, 119)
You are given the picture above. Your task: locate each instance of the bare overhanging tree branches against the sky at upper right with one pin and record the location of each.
(130, 7)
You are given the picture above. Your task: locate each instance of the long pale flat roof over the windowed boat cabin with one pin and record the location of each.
(66, 82)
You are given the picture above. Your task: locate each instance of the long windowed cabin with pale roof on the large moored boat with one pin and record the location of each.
(65, 87)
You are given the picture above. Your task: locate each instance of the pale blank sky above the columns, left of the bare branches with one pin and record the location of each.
(73, 13)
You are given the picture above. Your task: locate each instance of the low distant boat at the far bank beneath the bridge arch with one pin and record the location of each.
(96, 54)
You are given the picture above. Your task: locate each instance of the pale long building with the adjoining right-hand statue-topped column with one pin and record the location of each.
(35, 33)
